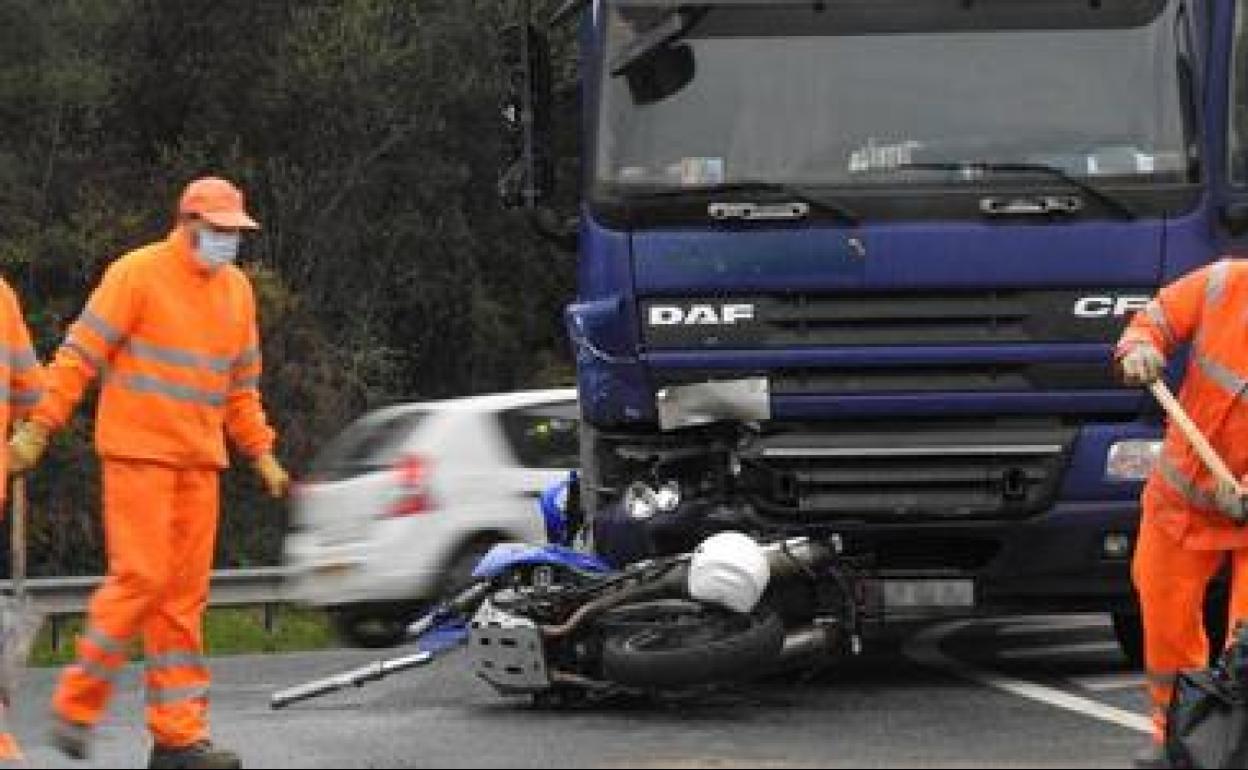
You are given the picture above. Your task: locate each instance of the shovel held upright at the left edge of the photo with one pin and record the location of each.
(19, 620)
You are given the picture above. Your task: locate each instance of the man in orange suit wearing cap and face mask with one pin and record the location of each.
(172, 329)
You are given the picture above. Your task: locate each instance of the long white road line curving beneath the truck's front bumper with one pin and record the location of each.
(925, 648)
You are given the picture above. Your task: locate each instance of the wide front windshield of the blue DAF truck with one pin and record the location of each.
(887, 93)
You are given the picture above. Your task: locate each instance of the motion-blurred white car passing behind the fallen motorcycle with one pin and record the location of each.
(406, 500)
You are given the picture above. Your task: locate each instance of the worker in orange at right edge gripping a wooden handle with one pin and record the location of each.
(1187, 532)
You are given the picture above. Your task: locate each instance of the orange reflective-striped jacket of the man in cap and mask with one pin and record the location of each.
(179, 354)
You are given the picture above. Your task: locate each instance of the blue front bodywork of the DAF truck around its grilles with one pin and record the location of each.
(1046, 552)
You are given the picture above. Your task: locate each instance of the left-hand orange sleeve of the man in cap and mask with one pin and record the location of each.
(93, 341)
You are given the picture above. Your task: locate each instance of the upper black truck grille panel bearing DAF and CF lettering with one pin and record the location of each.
(963, 318)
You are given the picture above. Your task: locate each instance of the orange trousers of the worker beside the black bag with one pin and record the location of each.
(1172, 582)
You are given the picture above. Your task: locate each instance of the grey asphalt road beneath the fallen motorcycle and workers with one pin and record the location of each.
(1002, 693)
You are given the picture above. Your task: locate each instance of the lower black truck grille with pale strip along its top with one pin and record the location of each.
(898, 474)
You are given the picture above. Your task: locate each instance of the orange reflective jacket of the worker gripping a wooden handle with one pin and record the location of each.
(1209, 309)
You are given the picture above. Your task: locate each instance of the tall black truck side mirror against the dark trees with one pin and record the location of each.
(527, 178)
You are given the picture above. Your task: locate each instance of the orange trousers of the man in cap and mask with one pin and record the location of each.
(160, 530)
